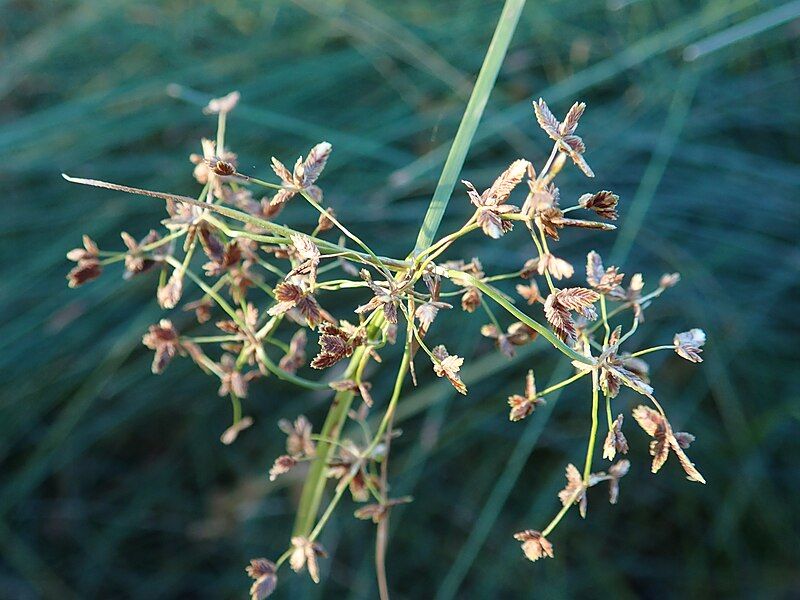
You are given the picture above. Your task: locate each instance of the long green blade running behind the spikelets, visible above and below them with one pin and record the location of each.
(311, 496)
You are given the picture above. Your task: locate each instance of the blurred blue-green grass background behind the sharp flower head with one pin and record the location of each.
(114, 483)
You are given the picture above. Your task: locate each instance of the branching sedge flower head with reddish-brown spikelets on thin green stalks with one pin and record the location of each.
(263, 288)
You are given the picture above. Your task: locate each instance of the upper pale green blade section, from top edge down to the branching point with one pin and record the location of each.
(469, 122)
